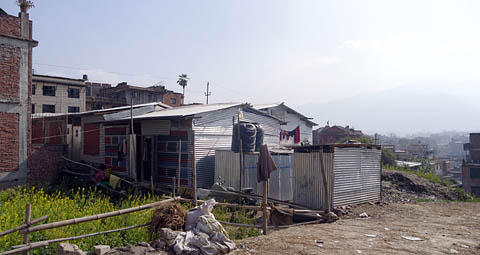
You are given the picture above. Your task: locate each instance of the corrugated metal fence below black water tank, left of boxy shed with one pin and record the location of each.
(227, 166)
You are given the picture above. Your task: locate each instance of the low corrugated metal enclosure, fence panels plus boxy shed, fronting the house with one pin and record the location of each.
(352, 171)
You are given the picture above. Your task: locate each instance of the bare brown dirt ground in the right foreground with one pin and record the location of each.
(443, 227)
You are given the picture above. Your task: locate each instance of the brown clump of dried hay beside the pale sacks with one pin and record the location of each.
(169, 215)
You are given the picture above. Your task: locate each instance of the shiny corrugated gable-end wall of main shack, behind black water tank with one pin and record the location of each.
(213, 131)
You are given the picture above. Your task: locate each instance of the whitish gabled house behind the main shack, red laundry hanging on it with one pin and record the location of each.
(293, 119)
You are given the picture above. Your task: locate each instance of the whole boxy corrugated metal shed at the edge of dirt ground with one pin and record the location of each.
(353, 174)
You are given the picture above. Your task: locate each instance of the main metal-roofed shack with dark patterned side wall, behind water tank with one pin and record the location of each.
(202, 129)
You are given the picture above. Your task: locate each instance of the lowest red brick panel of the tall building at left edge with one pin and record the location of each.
(8, 141)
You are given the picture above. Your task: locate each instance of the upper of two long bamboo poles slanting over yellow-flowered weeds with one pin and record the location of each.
(94, 217)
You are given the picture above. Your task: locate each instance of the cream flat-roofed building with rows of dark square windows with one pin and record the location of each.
(52, 94)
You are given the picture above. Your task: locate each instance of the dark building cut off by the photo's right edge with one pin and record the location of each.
(471, 165)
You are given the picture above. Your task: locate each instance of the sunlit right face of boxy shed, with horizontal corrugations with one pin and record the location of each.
(356, 176)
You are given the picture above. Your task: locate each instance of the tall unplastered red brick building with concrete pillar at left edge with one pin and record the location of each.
(15, 93)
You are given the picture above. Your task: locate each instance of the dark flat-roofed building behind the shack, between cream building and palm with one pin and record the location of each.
(104, 96)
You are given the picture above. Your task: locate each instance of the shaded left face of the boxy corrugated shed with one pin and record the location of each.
(308, 188)
